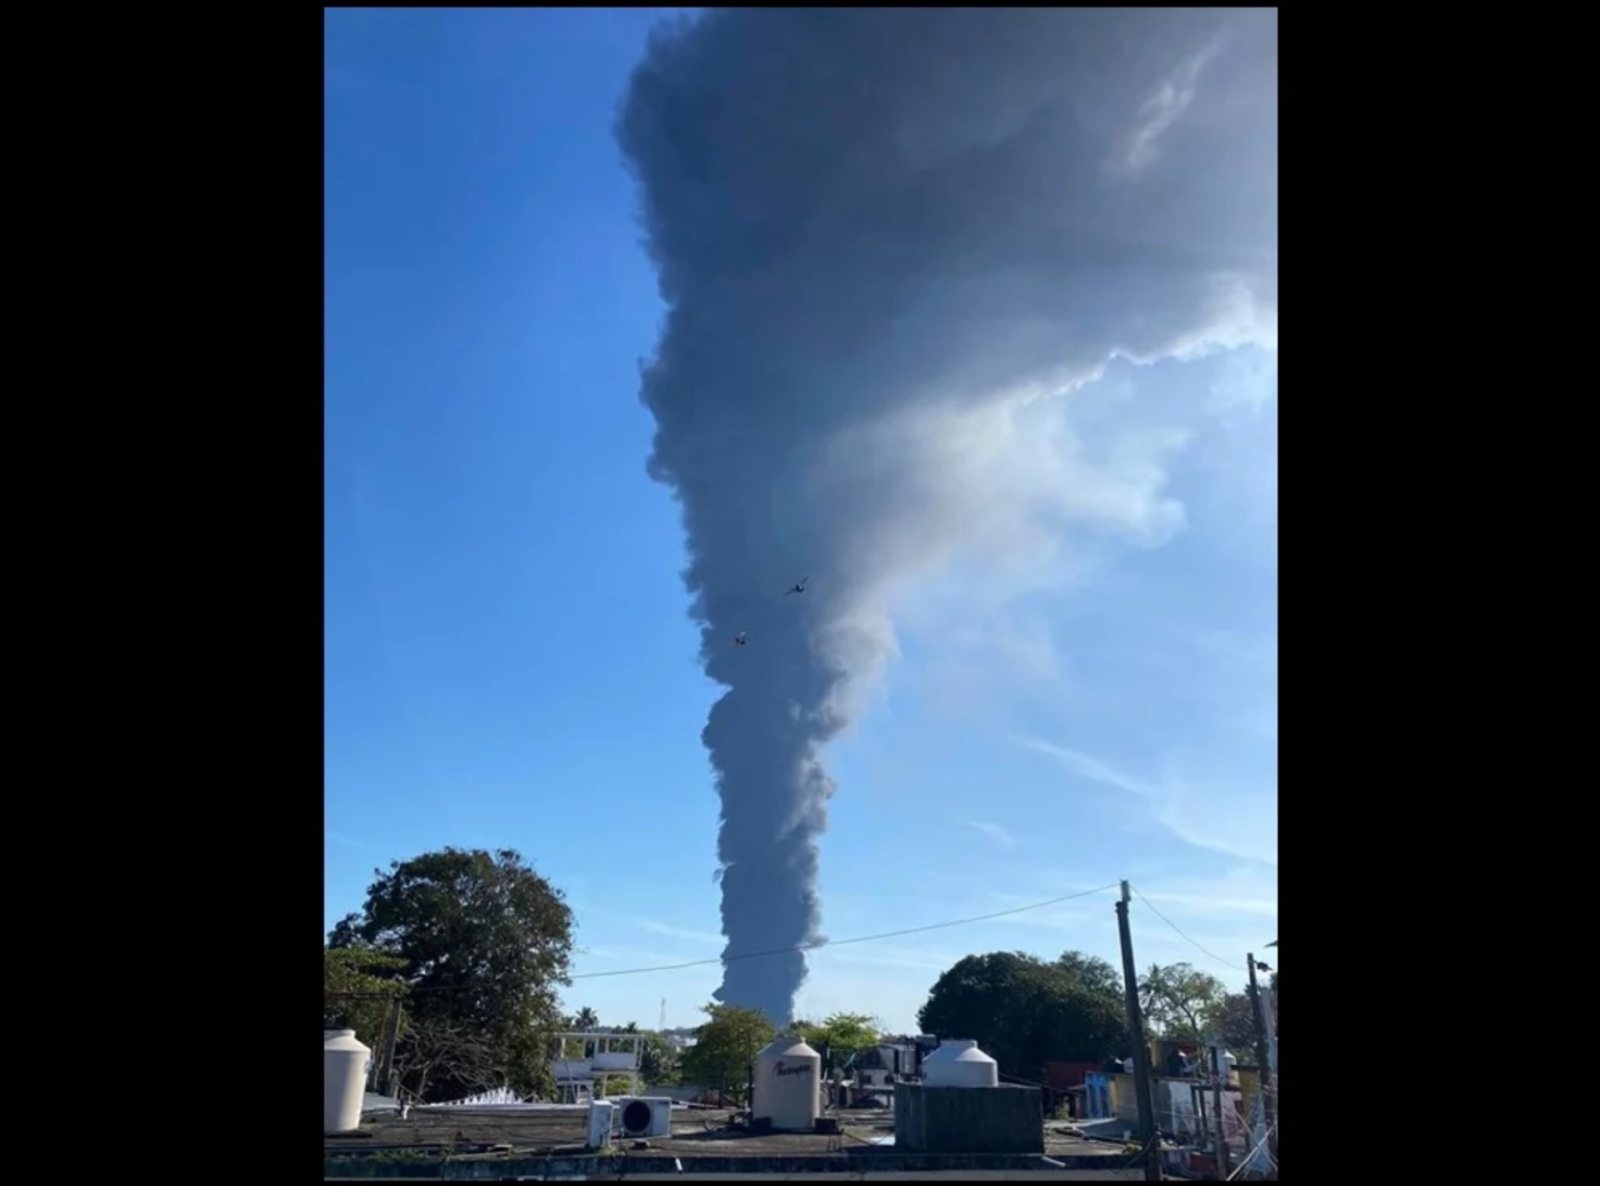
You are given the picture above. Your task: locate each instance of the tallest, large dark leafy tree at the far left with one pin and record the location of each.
(482, 942)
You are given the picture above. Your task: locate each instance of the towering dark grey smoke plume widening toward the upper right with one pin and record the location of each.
(882, 238)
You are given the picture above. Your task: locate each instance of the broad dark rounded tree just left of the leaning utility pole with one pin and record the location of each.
(1026, 1012)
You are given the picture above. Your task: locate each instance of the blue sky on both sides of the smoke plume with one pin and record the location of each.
(510, 659)
